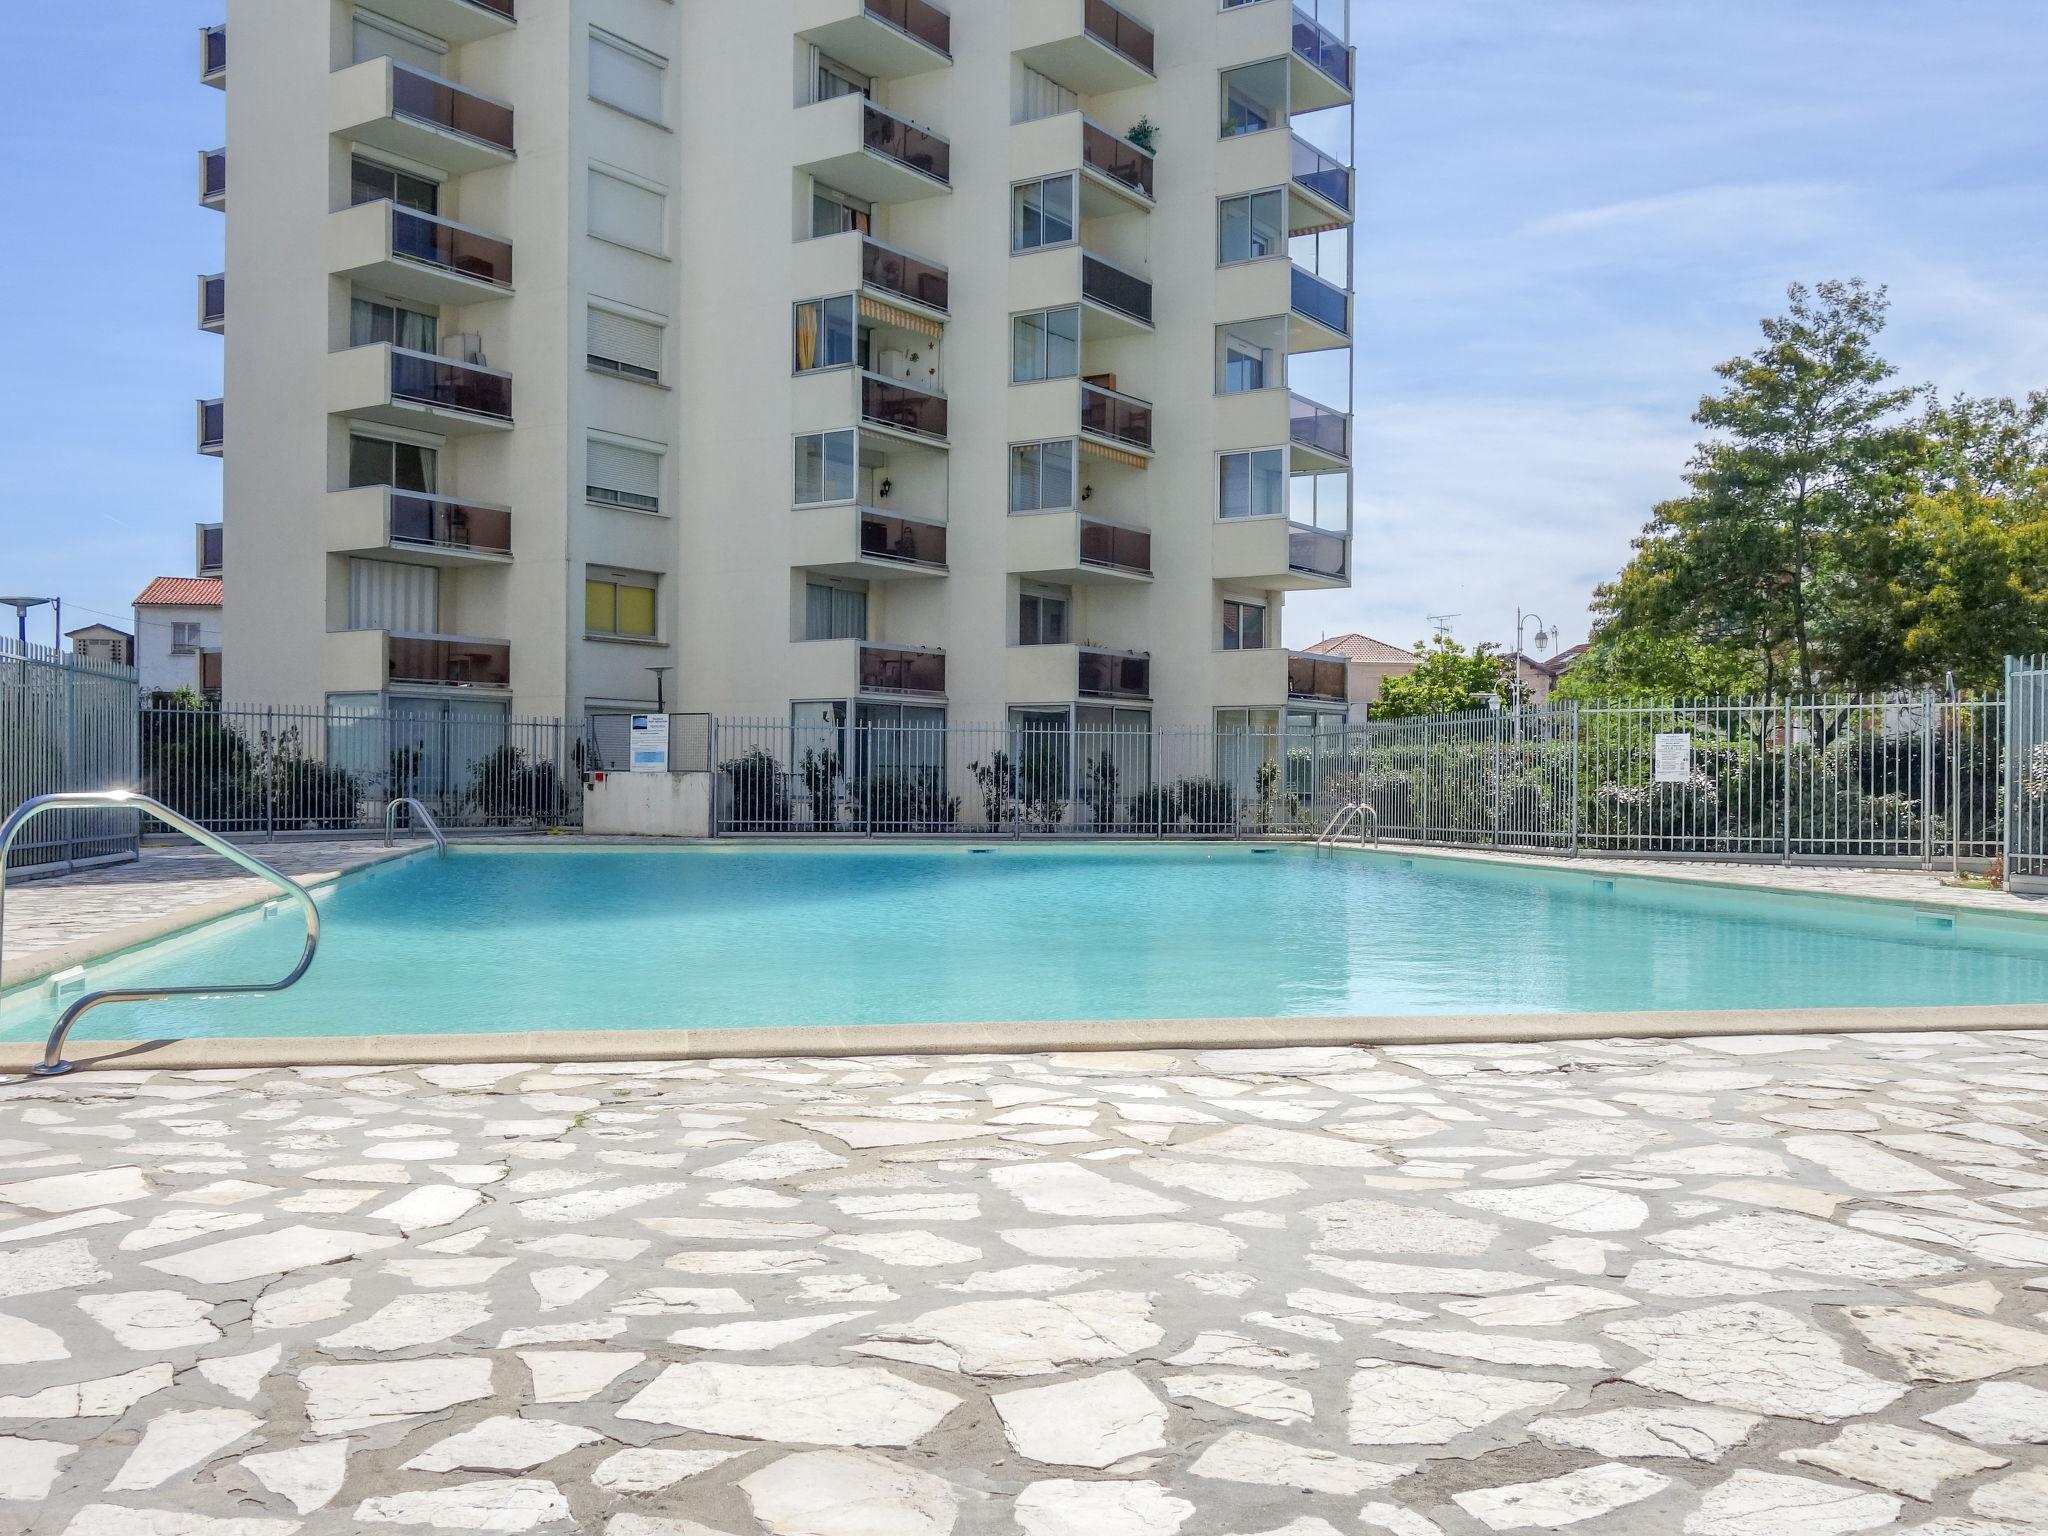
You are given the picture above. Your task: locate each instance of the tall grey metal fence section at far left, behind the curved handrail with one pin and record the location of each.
(67, 722)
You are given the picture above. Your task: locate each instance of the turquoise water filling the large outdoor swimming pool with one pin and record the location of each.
(736, 937)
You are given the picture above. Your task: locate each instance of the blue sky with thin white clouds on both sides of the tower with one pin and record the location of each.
(1572, 210)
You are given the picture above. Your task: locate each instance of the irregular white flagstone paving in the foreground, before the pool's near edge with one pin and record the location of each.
(1746, 1287)
